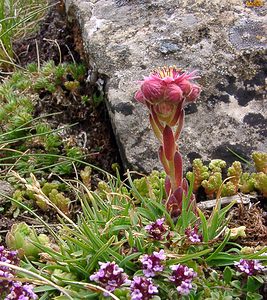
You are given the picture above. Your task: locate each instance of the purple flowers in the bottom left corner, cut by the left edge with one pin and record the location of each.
(10, 288)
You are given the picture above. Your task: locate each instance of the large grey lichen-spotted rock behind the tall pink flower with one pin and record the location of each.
(224, 40)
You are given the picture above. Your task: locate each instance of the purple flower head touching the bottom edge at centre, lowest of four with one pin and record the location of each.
(142, 288)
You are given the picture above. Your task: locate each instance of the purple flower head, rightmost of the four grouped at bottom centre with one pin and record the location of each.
(182, 277)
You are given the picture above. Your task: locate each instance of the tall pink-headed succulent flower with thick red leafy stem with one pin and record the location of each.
(165, 92)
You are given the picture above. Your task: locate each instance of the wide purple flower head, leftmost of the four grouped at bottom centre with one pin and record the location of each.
(110, 276)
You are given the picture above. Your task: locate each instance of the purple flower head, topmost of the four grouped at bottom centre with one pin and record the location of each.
(152, 263)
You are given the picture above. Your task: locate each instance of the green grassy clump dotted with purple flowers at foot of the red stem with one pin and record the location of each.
(121, 227)
